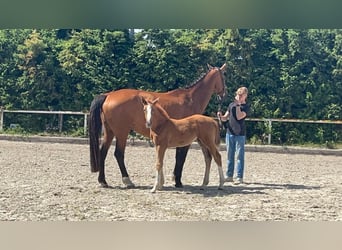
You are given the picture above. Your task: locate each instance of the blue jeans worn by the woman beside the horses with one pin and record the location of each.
(235, 146)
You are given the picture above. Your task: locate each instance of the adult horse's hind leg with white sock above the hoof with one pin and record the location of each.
(119, 154)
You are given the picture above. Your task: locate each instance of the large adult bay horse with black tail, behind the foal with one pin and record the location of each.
(118, 112)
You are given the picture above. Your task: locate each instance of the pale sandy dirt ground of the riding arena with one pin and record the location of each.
(52, 182)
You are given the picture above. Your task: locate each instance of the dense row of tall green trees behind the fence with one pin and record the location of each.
(289, 73)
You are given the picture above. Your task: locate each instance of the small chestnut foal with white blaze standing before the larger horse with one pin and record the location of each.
(166, 132)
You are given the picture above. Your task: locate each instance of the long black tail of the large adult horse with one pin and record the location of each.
(95, 126)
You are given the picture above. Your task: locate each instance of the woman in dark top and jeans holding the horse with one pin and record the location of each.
(236, 134)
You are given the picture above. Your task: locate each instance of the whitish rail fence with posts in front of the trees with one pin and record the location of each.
(61, 113)
